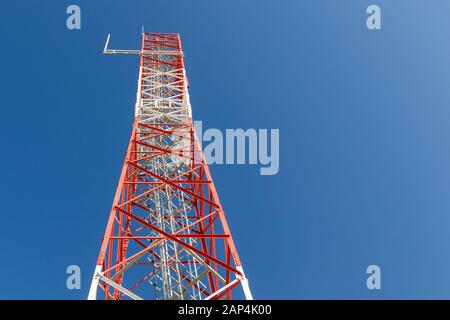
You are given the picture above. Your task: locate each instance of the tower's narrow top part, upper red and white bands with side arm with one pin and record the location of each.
(162, 94)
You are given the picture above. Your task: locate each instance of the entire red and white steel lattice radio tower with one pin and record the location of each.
(167, 235)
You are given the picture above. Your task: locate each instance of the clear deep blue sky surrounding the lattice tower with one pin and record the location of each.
(364, 119)
